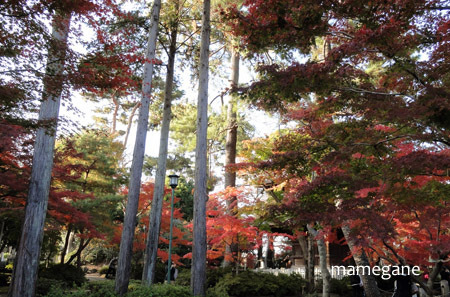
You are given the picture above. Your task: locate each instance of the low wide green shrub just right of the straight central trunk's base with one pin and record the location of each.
(250, 283)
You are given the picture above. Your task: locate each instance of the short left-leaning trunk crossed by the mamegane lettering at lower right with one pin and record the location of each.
(360, 257)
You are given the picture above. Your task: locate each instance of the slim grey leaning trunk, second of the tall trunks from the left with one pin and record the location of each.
(126, 243)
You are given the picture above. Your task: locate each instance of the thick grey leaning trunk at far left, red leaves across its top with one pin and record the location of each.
(26, 268)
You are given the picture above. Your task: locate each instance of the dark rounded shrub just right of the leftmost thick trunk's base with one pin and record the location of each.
(69, 274)
